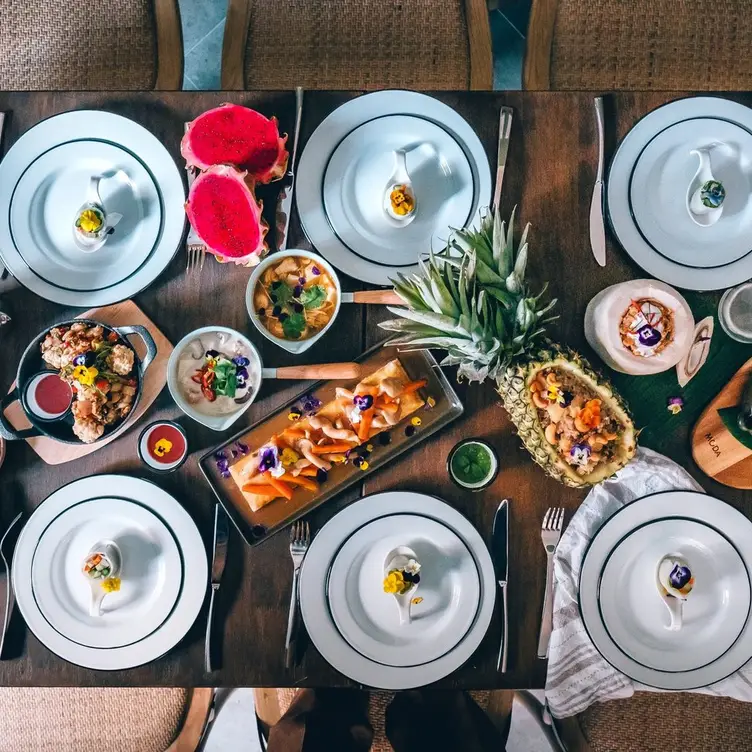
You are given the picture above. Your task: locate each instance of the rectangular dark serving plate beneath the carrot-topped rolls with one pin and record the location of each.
(256, 527)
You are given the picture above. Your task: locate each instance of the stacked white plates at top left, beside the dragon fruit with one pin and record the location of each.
(44, 181)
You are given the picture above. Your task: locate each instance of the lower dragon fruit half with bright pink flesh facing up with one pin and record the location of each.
(226, 215)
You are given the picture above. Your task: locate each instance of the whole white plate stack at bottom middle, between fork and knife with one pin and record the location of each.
(356, 626)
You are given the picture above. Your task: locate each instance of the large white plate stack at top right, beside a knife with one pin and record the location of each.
(725, 267)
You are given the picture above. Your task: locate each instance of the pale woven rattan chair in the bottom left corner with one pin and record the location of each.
(103, 720)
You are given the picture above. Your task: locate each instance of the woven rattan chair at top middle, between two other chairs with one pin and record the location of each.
(357, 44)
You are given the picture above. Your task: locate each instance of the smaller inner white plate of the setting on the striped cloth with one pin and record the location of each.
(714, 614)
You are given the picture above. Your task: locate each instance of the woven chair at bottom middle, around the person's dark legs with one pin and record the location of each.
(272, 704)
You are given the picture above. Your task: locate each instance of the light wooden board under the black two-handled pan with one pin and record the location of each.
(126, 313)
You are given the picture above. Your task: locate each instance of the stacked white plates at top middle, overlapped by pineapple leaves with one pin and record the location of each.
(345, 170)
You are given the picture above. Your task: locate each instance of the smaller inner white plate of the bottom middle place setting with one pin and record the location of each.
(368, 618)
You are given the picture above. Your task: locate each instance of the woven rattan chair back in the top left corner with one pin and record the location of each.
(90, 45)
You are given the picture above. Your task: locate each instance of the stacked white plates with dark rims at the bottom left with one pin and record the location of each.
(164, 572)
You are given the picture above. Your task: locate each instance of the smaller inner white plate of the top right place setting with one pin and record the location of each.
(660, 183)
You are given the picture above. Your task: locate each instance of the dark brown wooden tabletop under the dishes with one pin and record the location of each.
(549, 175)
